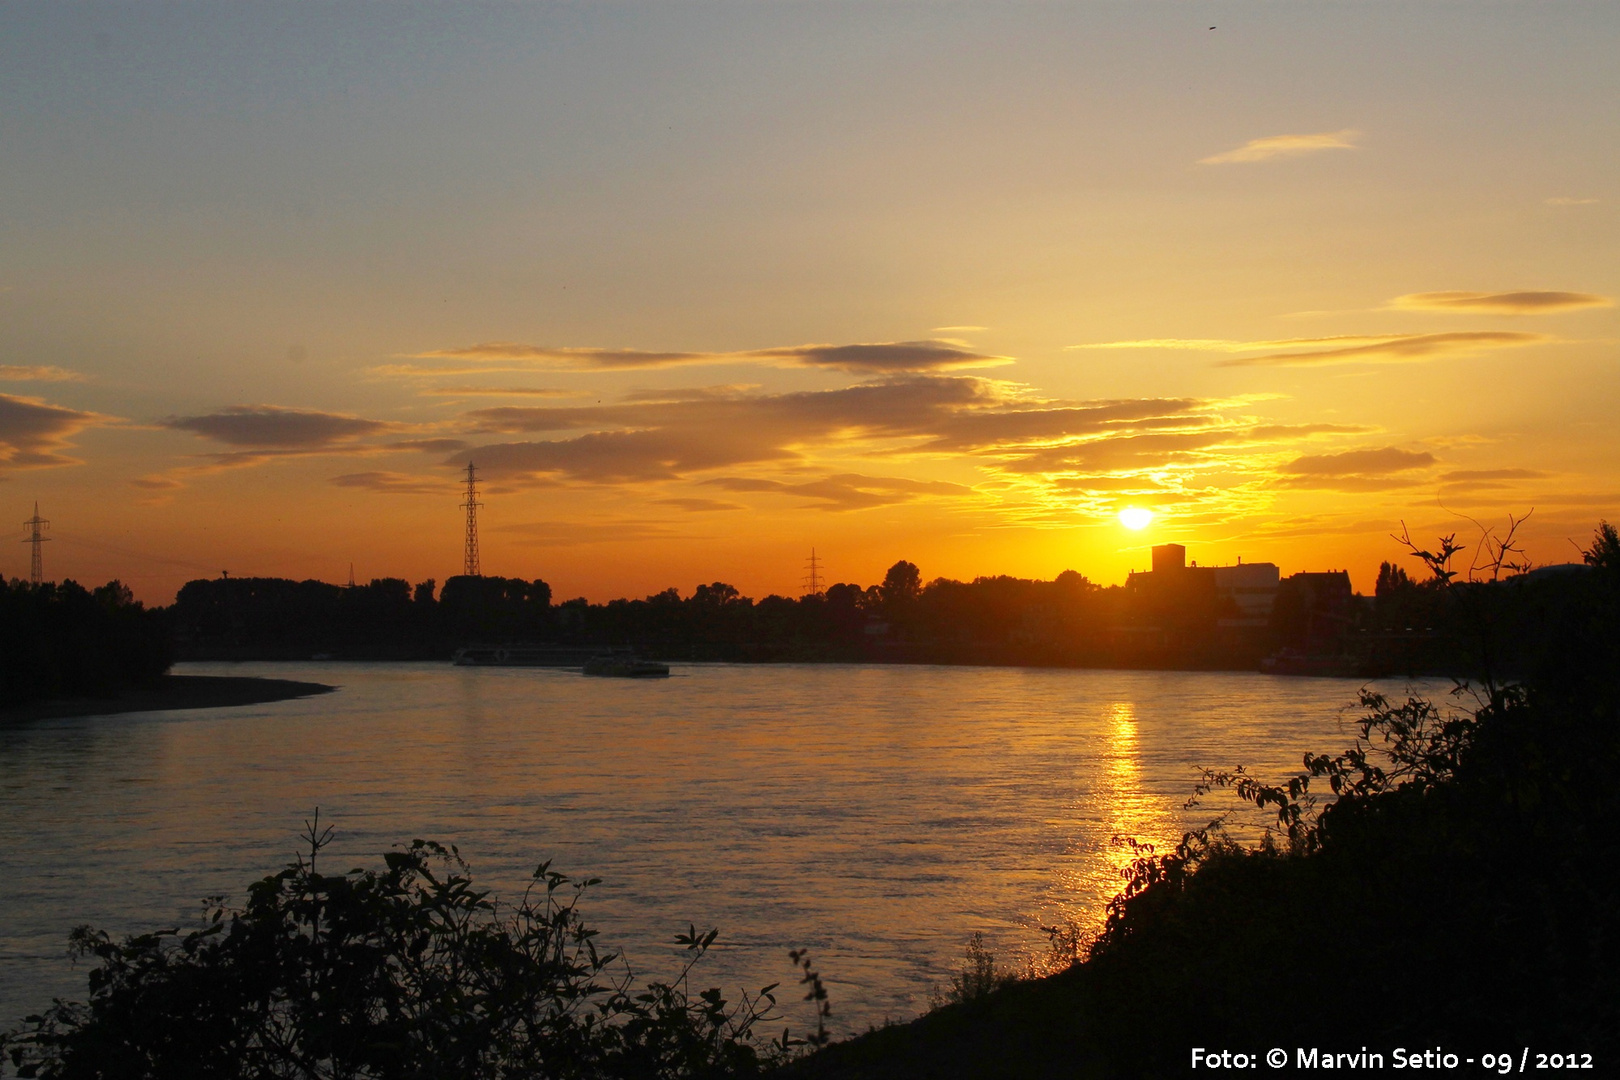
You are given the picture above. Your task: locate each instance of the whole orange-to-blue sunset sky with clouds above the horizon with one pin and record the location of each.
(702, 286)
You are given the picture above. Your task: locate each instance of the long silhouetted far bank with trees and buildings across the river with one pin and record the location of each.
(1407, 627)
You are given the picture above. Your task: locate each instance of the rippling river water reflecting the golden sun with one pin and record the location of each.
(877, 815)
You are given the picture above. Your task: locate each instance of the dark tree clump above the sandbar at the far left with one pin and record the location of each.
(64, 640)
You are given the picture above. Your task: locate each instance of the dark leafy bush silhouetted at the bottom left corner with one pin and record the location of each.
(388, 974)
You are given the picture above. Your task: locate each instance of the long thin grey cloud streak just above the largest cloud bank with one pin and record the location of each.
(869, 359)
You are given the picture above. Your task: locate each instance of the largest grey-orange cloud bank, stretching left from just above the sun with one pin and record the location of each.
(1052, 459)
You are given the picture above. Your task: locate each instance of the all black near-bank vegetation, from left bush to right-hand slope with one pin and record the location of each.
(1456, 891)
